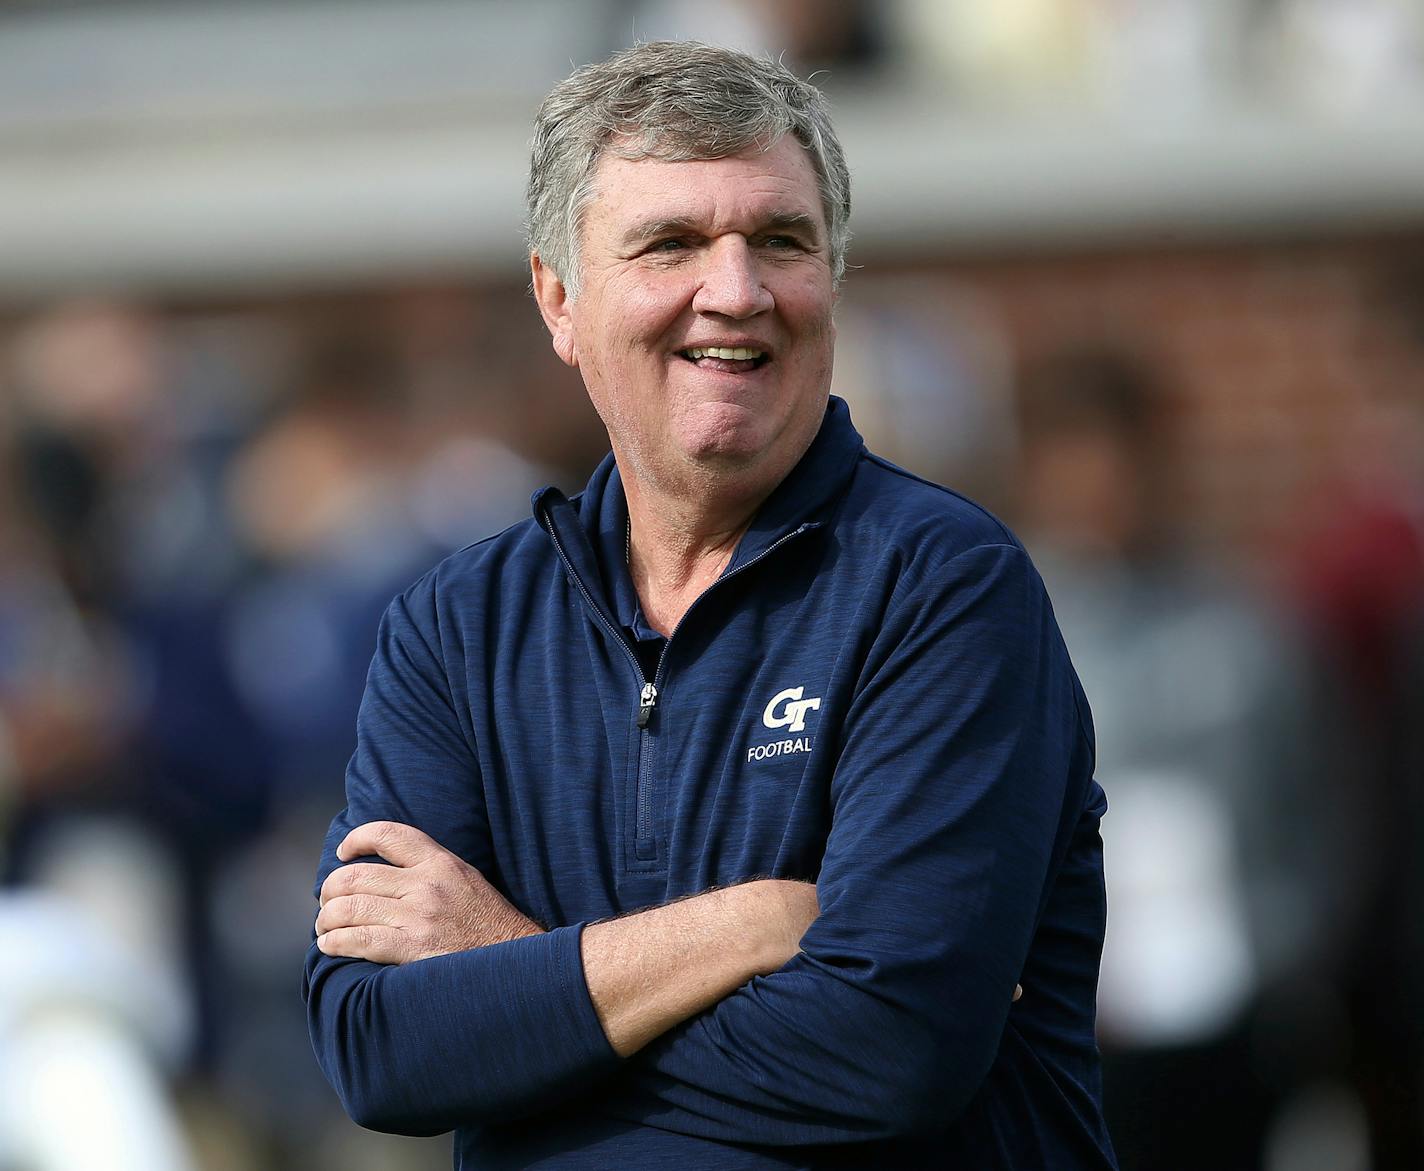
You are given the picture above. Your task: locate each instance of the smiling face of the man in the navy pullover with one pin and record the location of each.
(679, 259)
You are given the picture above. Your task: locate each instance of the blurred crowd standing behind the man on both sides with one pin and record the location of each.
(206, 512)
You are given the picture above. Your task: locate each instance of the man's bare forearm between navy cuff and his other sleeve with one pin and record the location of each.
(651, 971)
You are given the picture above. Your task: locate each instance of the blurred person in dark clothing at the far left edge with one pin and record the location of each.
(78, 382)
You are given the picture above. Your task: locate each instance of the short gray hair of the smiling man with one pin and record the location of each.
(671, 100)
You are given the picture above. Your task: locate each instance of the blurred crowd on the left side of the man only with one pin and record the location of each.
(203, 521)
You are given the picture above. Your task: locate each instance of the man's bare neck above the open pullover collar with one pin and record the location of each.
(679, 548)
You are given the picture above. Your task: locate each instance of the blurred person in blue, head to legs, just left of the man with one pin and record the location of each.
(318, 501)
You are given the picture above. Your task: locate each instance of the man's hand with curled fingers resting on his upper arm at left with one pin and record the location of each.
(428, 902)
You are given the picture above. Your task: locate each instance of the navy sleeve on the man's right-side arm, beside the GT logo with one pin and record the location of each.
(963, 779)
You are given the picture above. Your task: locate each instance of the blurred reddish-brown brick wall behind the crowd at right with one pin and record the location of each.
(1289, 367)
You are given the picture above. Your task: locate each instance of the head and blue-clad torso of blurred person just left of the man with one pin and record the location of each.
(318, 498)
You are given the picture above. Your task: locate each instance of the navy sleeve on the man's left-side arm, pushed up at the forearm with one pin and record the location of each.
(461, 1039)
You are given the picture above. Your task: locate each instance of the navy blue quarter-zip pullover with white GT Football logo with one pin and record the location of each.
(874, 696)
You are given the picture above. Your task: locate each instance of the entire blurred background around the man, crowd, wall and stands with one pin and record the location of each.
(1146, 277)
